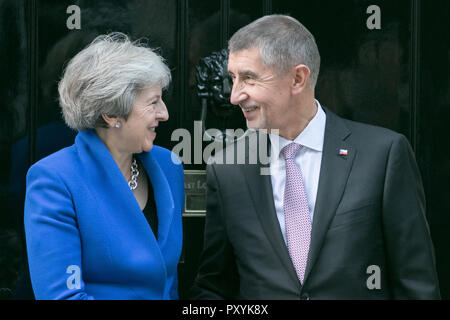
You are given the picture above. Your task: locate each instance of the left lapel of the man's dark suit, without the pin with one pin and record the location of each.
(260, 188)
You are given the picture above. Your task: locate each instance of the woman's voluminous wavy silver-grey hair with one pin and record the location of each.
(106, 77)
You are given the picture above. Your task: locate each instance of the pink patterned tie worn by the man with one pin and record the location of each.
(296, 212)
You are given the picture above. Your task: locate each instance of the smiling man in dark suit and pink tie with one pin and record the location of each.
(341, 214)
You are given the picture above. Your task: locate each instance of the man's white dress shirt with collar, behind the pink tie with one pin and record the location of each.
(308, 159)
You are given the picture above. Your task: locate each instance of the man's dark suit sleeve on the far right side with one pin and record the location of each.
(410, 253)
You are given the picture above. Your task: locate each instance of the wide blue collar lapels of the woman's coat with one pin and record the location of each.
(107, 182)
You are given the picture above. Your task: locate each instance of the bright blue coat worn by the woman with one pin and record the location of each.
(83, 223)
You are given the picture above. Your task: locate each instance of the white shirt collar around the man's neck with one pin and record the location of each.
(311, 137)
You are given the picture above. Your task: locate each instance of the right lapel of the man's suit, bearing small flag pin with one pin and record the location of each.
(334, 172)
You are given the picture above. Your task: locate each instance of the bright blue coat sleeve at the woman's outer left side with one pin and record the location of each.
(52, 237)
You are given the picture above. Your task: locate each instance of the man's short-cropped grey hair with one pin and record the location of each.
(283, 43)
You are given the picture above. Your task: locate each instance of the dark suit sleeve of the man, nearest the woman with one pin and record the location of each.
(217, 276)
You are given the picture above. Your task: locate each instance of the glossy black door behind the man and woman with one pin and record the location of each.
(383, 62)
